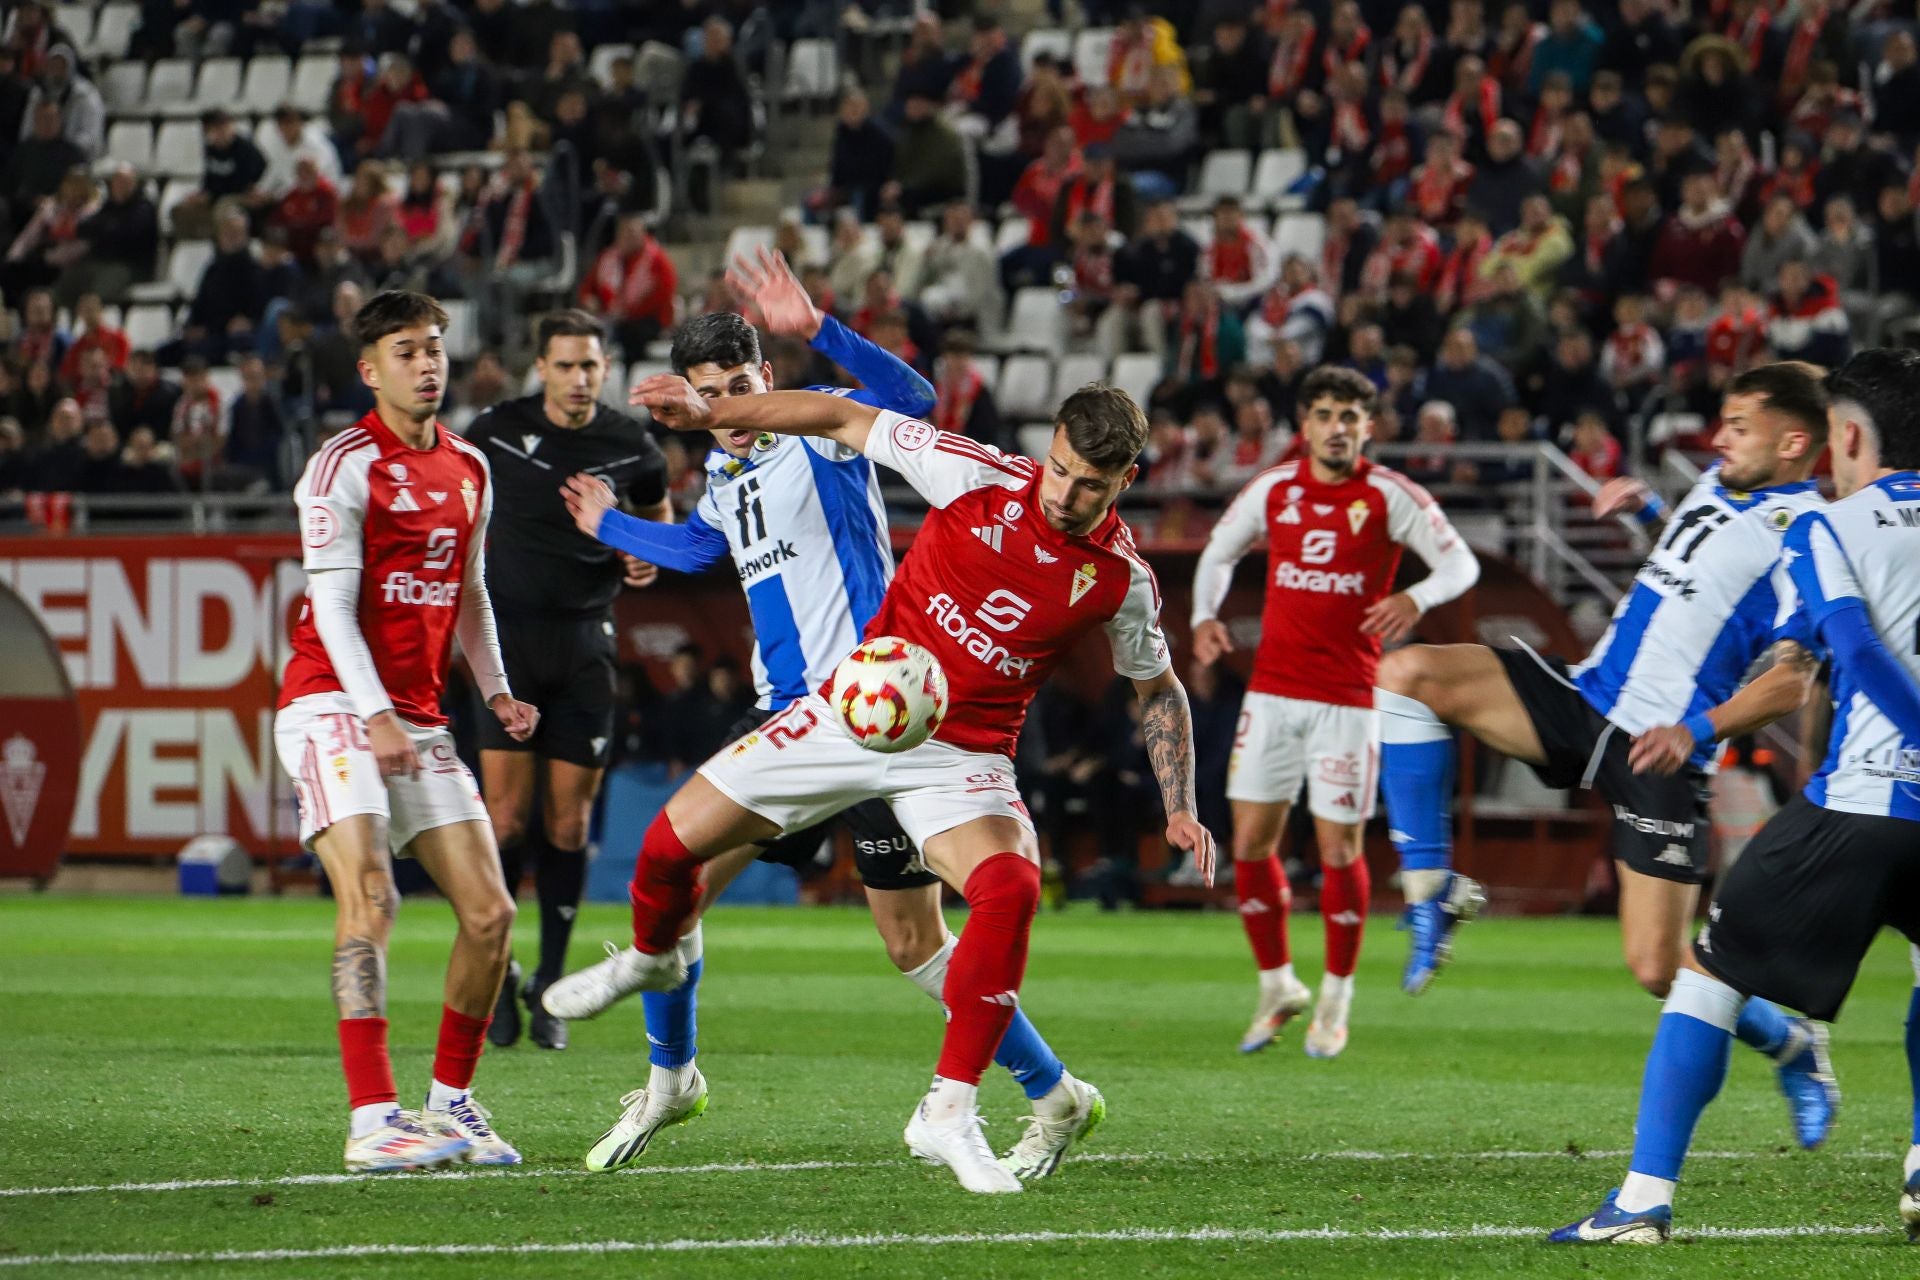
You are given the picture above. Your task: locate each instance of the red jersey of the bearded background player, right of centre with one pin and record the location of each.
(1333, 552)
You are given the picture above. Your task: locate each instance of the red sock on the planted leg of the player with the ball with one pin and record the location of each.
(984, 974)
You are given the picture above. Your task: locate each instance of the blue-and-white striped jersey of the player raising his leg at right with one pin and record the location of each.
(1702, 609)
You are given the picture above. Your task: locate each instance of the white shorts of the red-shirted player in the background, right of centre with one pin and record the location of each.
(1287, 742)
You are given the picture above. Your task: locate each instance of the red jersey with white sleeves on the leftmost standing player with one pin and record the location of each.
(408, 521)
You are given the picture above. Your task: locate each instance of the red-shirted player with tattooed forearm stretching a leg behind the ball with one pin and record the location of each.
(1015, 565)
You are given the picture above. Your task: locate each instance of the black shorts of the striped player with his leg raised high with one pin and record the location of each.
(1660, 822)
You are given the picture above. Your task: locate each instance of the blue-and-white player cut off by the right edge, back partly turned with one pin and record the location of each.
(1804, 903)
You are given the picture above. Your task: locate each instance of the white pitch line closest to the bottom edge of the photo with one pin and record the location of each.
(807, 1241)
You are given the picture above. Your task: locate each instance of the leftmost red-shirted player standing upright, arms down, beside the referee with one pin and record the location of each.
(393, 517)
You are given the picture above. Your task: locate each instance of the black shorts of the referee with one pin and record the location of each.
(565, 669)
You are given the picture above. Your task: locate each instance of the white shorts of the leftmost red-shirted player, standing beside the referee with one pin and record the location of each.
(324, 747)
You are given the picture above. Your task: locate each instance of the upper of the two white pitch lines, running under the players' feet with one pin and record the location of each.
(811, 1166)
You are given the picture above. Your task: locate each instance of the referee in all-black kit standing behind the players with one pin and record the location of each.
(554, 592)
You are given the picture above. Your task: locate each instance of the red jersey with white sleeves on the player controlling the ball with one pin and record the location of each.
(996, 592)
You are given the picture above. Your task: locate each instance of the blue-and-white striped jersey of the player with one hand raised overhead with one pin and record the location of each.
(805, 527)
